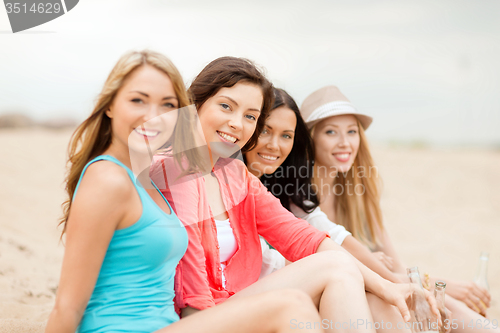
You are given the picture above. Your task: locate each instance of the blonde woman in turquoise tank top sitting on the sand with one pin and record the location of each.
(123, 241)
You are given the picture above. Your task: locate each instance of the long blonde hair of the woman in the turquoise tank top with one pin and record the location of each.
(93, 136)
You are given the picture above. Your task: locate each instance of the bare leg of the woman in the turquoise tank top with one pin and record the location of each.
(283, 311)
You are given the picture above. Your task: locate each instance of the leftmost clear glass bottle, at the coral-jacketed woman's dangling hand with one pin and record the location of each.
(422, 319)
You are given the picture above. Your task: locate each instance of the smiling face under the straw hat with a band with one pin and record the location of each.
(336, 142)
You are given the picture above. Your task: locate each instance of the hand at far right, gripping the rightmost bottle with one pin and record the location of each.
(475, 297)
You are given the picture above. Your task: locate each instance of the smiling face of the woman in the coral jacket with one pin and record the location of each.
(229, 118)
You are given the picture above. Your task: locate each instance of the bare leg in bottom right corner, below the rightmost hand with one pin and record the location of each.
(463, 315)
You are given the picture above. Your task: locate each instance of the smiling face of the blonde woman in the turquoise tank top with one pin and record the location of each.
(142, 112)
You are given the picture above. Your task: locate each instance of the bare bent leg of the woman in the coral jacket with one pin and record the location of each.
(334, 283)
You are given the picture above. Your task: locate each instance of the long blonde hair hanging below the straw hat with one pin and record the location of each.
(360, 213)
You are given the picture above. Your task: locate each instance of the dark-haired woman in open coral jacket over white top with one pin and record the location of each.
(226, 209)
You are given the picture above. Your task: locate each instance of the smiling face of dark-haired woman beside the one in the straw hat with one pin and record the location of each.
(275, 142)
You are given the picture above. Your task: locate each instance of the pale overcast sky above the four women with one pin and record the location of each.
(425, 70)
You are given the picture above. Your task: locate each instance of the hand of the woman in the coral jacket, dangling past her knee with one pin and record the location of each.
(400, 295)
